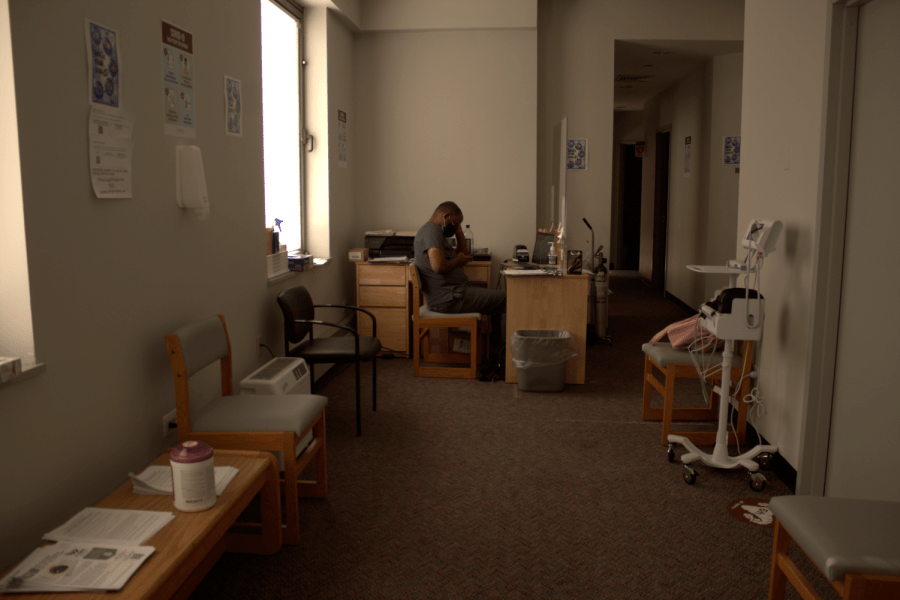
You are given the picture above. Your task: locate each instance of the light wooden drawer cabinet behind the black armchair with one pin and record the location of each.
(383, 290)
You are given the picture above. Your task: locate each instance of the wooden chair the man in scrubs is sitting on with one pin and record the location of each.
(445, 362)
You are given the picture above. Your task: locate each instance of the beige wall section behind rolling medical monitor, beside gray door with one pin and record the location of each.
(780, 176)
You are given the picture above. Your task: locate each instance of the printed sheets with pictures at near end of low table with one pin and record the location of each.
(76, 567)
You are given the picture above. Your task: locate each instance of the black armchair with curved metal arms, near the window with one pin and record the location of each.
(299, 318)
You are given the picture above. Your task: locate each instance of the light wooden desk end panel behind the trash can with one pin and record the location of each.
(548, 302)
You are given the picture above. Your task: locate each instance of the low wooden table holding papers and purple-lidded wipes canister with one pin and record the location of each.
(189, 545)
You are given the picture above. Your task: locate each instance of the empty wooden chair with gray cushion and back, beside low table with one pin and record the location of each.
(277, 424)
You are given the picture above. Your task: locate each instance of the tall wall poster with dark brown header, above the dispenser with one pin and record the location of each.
(177, 56)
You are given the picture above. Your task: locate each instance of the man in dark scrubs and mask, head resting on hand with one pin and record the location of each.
(444, 280)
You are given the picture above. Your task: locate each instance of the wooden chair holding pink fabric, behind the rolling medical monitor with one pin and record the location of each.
(676, 364)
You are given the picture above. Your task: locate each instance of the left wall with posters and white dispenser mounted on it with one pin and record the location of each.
(110, 278)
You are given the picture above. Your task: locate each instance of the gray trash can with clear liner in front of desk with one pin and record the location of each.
(540, 356)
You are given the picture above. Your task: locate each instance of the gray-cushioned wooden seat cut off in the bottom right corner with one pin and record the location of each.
(854, 543)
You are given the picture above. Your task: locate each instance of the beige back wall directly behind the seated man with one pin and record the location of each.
(447, 115)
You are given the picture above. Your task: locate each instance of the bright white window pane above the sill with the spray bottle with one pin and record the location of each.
(282, 118)
